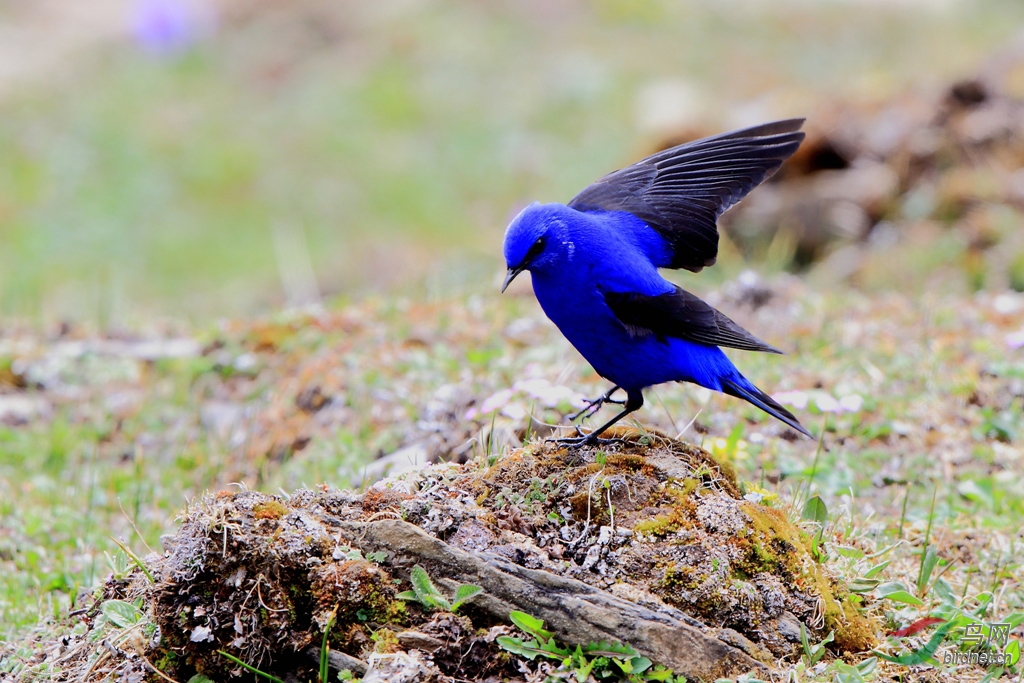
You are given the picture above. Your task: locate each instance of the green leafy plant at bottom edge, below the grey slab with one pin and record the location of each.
(604, 661)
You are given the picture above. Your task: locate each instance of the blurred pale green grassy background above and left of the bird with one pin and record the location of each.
(225, 159)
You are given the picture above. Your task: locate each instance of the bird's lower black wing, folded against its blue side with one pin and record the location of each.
(681, 315)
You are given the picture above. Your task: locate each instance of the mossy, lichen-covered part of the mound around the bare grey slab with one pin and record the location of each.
(652, 521)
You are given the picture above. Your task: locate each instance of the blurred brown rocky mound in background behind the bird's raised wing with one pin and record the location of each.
(872, 177)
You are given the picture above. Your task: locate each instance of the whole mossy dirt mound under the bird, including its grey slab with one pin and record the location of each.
(650, 543)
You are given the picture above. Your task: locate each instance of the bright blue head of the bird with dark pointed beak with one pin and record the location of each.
(537, 239)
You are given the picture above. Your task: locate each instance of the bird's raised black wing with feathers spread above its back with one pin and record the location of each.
(681, 192)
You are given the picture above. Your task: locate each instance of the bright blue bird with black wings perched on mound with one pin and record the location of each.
(594, 266)
